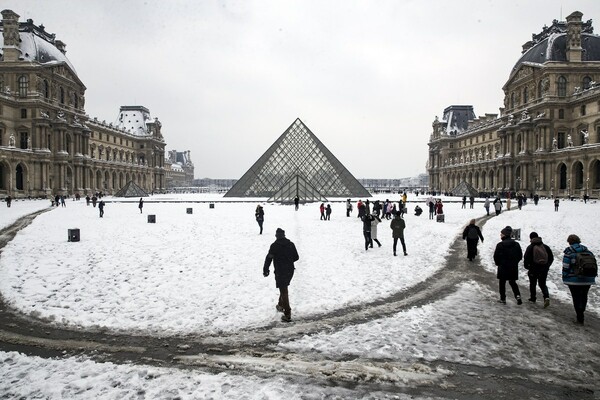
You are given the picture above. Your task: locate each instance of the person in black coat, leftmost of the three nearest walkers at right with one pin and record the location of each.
(507, 255)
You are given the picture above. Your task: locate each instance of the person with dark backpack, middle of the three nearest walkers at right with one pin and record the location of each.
(537, 260)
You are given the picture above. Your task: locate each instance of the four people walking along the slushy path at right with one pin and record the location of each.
(579, 268)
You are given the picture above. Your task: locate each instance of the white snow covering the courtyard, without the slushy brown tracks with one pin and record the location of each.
(201, 273)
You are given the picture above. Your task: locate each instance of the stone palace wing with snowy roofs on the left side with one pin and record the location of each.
(48, 144)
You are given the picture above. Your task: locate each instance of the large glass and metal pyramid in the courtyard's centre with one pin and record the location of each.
(297, 164)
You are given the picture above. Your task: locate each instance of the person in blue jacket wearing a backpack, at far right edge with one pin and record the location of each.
(579, 273)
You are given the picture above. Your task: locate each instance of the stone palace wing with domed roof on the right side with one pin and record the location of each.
(546, 139)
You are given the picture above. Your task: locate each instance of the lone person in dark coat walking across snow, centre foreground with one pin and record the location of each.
(283, 254)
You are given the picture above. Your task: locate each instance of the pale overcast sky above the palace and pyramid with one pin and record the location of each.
(226, 78)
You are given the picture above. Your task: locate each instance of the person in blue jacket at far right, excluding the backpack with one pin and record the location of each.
(579, 286)
